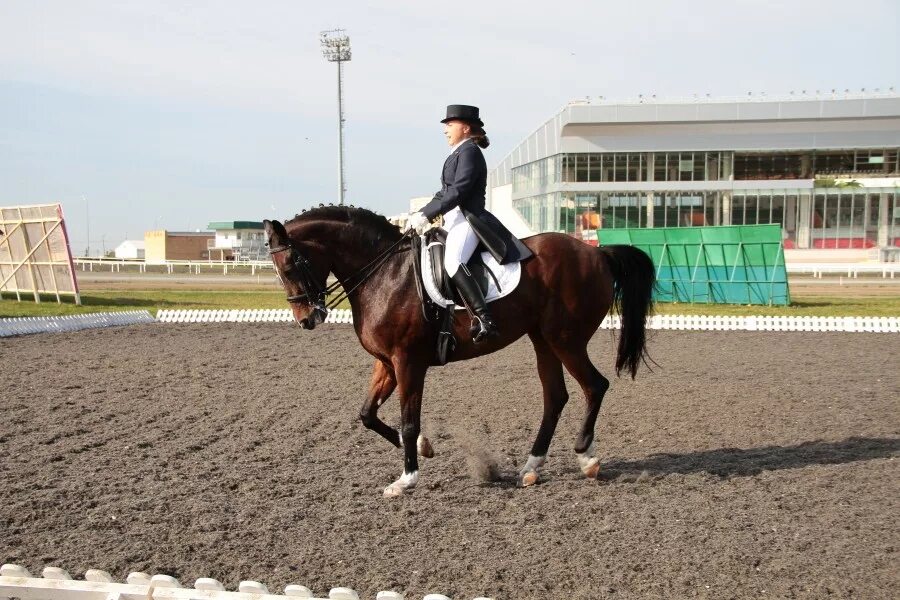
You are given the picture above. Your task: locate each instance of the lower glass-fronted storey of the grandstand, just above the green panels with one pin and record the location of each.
(836, 217)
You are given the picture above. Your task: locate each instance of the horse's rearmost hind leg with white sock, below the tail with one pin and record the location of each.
(594, 386)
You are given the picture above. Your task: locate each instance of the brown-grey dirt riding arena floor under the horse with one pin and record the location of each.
(749, 465)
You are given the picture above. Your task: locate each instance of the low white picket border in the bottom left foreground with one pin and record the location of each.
(57, 584)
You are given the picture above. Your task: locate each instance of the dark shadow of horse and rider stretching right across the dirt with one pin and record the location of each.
(741, 462)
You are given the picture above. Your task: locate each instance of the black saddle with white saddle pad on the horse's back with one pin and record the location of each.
(437, 292)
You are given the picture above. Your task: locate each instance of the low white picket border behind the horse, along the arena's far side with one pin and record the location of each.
(683, 322)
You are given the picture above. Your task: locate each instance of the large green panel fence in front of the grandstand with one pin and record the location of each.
(739, 264)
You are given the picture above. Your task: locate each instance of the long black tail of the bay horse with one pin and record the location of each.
(634, 277)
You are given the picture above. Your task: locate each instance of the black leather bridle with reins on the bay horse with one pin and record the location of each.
(314, 294)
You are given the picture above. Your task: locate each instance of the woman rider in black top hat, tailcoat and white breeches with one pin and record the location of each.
(461, 201)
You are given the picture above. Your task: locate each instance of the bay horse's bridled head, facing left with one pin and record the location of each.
(303, 273)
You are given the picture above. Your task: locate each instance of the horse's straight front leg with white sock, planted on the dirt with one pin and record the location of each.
(410, 383)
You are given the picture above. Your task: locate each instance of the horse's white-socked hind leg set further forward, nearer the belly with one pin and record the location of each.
(555, 398)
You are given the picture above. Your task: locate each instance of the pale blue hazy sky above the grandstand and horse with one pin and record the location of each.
(139, 115)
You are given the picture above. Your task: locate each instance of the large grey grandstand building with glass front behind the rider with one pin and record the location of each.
(825, 168)
